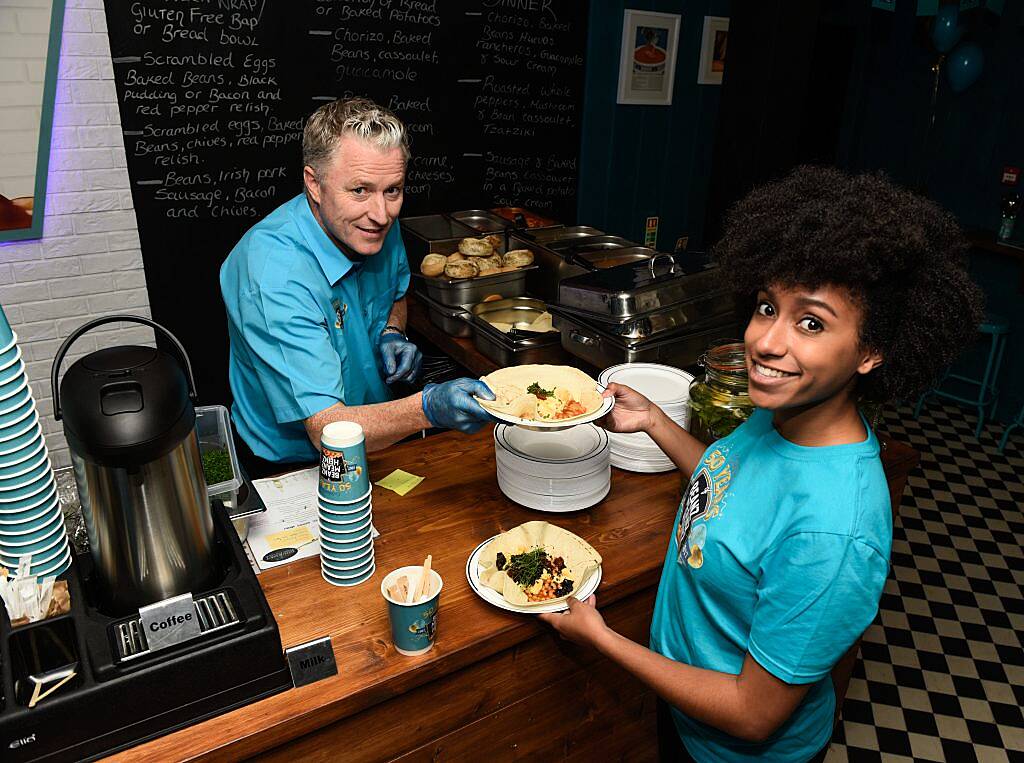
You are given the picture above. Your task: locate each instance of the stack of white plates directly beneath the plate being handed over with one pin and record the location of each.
(564, 471)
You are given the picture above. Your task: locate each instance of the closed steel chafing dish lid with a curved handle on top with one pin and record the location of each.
(631, 290)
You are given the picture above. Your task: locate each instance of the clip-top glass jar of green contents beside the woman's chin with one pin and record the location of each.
(720, 402)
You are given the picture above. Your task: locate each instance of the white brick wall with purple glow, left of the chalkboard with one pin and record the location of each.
(89, 263)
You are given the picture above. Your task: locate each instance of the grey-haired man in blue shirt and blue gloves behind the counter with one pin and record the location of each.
(316, 299)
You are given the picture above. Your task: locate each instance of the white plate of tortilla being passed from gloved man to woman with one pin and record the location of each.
(540, 397)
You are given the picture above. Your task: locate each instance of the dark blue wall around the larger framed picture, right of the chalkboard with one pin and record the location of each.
(638, 161)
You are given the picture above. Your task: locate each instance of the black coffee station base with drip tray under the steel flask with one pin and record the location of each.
(122, 694)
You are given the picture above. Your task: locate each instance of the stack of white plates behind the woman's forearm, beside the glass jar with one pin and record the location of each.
(669, 389)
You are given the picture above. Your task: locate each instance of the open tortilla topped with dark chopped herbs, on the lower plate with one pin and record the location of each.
(579, 558)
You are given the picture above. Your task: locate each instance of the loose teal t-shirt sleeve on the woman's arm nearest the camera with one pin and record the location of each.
(818, 595)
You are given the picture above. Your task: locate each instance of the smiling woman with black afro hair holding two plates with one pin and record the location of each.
(781, 545)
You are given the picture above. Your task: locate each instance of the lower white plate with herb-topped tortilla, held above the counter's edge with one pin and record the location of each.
(557, 543)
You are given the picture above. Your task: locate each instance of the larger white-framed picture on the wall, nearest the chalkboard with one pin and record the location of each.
(648, 66)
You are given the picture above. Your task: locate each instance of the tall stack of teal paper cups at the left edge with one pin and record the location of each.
(31, 521)
